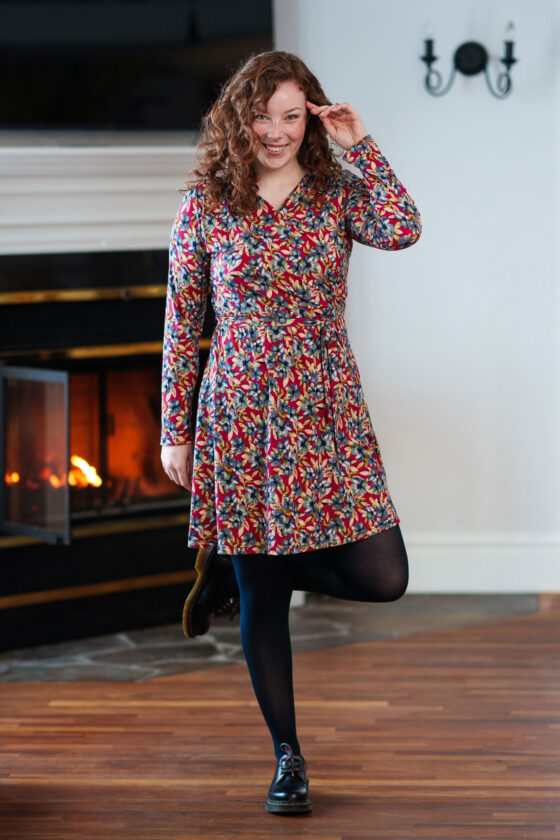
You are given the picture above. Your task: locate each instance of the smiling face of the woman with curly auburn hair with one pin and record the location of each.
(280, 127)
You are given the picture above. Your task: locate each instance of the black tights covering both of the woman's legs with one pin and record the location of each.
(371, 569)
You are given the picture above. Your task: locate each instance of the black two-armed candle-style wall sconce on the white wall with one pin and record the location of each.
(470, 58)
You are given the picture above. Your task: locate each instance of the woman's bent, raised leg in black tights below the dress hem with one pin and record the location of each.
(372, 569)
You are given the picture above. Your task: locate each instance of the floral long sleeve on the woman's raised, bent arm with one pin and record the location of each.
(378, 210)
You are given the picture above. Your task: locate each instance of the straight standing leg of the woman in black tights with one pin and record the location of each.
(266, 584)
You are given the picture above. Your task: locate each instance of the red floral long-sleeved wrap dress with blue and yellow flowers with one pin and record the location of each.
(285, 456)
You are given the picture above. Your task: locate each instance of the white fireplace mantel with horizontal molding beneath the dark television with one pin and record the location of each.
(102, 197)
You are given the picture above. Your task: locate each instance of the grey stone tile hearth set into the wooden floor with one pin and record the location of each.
(322, 622)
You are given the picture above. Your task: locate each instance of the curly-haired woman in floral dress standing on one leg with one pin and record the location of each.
(284, 467)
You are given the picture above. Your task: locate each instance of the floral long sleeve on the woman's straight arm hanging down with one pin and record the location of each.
(187, 295)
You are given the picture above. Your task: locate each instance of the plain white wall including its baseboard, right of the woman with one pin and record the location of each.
(458, 337)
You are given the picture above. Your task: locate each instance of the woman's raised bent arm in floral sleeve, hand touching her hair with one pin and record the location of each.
(378, 210)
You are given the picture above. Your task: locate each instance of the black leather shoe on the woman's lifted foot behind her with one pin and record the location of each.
(208, 595)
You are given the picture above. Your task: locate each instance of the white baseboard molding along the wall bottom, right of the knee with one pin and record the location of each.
(500, 563)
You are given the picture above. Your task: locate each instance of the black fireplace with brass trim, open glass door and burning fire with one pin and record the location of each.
(92, 532)
